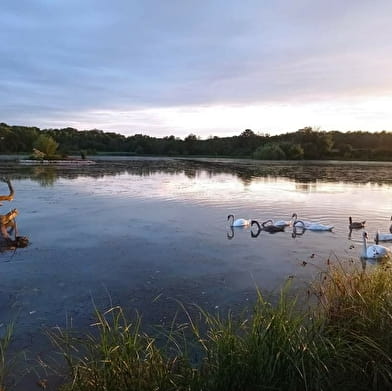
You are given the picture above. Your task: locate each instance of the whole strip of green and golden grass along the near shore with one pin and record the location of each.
(342, 342)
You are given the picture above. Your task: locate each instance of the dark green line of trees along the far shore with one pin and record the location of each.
(306, 143)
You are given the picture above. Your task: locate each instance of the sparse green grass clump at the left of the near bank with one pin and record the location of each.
(119, 356)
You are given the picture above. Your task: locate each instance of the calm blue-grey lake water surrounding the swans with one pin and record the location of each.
(144, 232)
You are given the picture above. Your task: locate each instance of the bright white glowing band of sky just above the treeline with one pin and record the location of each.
(220, 120)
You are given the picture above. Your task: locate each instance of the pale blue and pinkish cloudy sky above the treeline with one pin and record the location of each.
(212, 67)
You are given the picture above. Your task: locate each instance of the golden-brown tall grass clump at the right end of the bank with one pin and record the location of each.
(357, 307)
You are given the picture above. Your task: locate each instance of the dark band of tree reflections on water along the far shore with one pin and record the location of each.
(305, 174)
